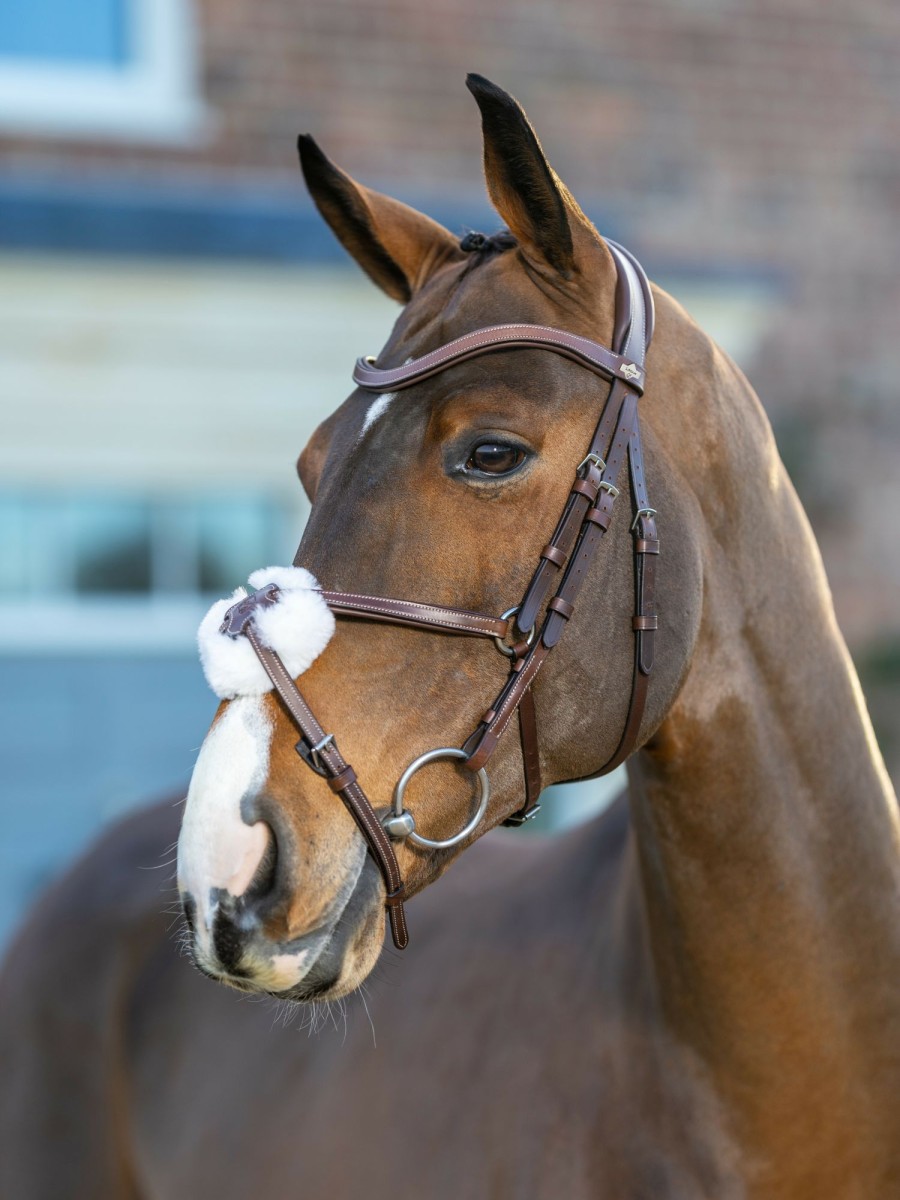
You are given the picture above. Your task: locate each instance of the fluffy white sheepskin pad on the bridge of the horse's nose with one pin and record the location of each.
(298, 628)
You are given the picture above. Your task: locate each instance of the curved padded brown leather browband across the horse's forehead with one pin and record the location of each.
(496, 338)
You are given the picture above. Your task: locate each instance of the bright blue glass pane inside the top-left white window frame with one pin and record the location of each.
(93, 33)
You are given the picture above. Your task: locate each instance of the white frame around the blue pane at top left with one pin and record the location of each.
(153, 99)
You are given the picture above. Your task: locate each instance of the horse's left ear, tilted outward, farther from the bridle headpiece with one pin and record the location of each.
(395, 245)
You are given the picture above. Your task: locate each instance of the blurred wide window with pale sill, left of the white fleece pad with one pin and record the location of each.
(91, 572)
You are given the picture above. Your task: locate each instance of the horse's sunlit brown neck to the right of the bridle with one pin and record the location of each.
(767, 835)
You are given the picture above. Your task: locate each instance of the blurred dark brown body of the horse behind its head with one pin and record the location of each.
(501, 1059)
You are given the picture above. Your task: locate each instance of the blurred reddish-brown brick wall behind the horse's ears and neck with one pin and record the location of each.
(759, 135)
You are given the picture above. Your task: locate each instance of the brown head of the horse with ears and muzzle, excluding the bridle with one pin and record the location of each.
(445, 493)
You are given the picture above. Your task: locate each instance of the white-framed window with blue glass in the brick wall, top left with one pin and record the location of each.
(100, 69)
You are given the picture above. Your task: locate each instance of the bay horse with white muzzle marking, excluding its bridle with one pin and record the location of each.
(694, 995)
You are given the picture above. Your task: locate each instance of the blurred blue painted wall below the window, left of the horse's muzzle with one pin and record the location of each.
(82, 741)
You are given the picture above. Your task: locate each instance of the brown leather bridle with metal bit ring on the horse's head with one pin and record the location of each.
(565, 566)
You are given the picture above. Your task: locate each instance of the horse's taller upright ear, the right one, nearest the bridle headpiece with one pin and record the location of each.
(524, 188)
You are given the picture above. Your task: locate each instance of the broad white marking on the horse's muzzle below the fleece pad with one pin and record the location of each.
(217, 848)
